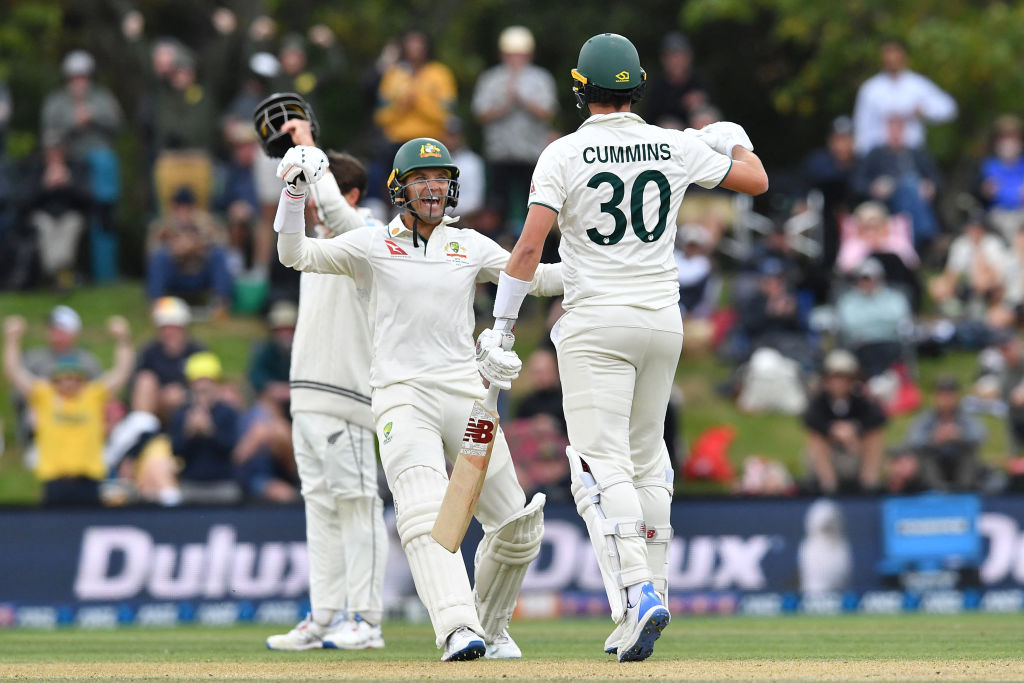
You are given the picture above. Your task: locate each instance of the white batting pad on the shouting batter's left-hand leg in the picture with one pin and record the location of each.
(441, 577)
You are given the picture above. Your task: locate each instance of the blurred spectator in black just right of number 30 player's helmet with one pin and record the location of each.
(673, 97)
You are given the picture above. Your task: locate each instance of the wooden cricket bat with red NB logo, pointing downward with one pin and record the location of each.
(471, 468)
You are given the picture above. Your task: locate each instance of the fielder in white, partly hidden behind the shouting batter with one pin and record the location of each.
(332, 434)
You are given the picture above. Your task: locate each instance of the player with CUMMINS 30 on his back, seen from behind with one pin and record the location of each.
(616, 186)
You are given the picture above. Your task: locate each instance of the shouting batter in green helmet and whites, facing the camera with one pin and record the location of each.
(420, 274)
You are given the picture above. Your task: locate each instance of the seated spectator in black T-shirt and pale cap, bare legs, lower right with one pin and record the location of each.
(845, 432)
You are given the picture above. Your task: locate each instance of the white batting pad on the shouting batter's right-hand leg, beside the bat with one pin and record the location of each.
(502, 560)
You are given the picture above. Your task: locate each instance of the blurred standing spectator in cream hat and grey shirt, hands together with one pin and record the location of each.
(515, 103)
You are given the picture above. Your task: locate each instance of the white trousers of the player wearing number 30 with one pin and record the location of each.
(618, 365)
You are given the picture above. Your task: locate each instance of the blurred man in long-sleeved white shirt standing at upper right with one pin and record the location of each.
(898, 92)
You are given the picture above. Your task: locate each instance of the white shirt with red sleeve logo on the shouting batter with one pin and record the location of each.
(420, 298)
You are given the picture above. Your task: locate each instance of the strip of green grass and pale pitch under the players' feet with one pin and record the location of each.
(857, 648)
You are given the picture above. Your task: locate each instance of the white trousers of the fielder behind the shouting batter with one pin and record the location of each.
(346, 533)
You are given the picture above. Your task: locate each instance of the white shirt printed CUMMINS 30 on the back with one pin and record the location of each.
(617, 185)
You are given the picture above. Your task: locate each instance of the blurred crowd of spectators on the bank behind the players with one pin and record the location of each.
(822, 312)
